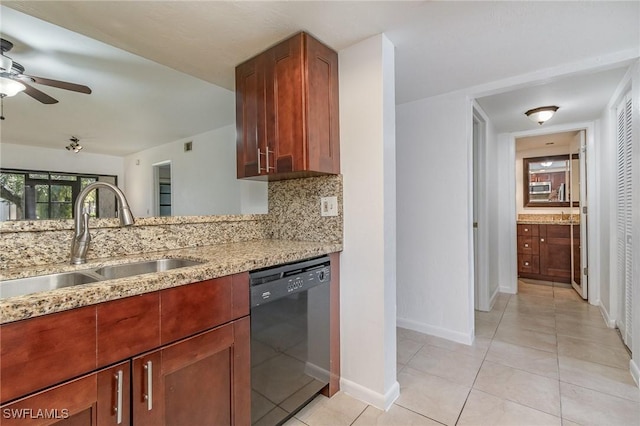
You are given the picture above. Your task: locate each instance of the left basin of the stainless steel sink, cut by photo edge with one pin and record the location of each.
(22, 286)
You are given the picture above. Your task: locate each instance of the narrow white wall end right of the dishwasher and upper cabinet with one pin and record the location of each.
(367, 273)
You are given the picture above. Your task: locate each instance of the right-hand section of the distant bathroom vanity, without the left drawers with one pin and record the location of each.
(555, 252)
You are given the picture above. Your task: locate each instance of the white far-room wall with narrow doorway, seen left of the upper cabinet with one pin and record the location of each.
(203, 180)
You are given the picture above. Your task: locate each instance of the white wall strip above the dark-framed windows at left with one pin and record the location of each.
(59, 160)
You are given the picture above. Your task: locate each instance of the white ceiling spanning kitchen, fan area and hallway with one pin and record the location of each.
(440, 47)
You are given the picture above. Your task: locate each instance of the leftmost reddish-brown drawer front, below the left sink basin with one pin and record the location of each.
(39, 352)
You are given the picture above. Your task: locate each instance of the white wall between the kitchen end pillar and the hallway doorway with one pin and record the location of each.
(435, 276)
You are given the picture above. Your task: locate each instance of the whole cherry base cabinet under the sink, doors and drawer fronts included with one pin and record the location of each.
(201, 374)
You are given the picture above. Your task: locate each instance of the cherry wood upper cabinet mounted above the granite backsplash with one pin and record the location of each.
(287, 111)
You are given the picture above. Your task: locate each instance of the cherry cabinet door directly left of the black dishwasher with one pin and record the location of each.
(195, 381)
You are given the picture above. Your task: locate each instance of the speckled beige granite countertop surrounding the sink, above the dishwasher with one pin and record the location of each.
(218, 260)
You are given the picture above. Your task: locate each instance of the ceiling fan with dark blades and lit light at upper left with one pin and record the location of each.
(10, 70)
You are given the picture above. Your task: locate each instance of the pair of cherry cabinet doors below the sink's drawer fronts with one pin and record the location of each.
(200, 380)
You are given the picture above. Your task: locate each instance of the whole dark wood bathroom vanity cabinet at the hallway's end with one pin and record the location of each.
(544, 252)
